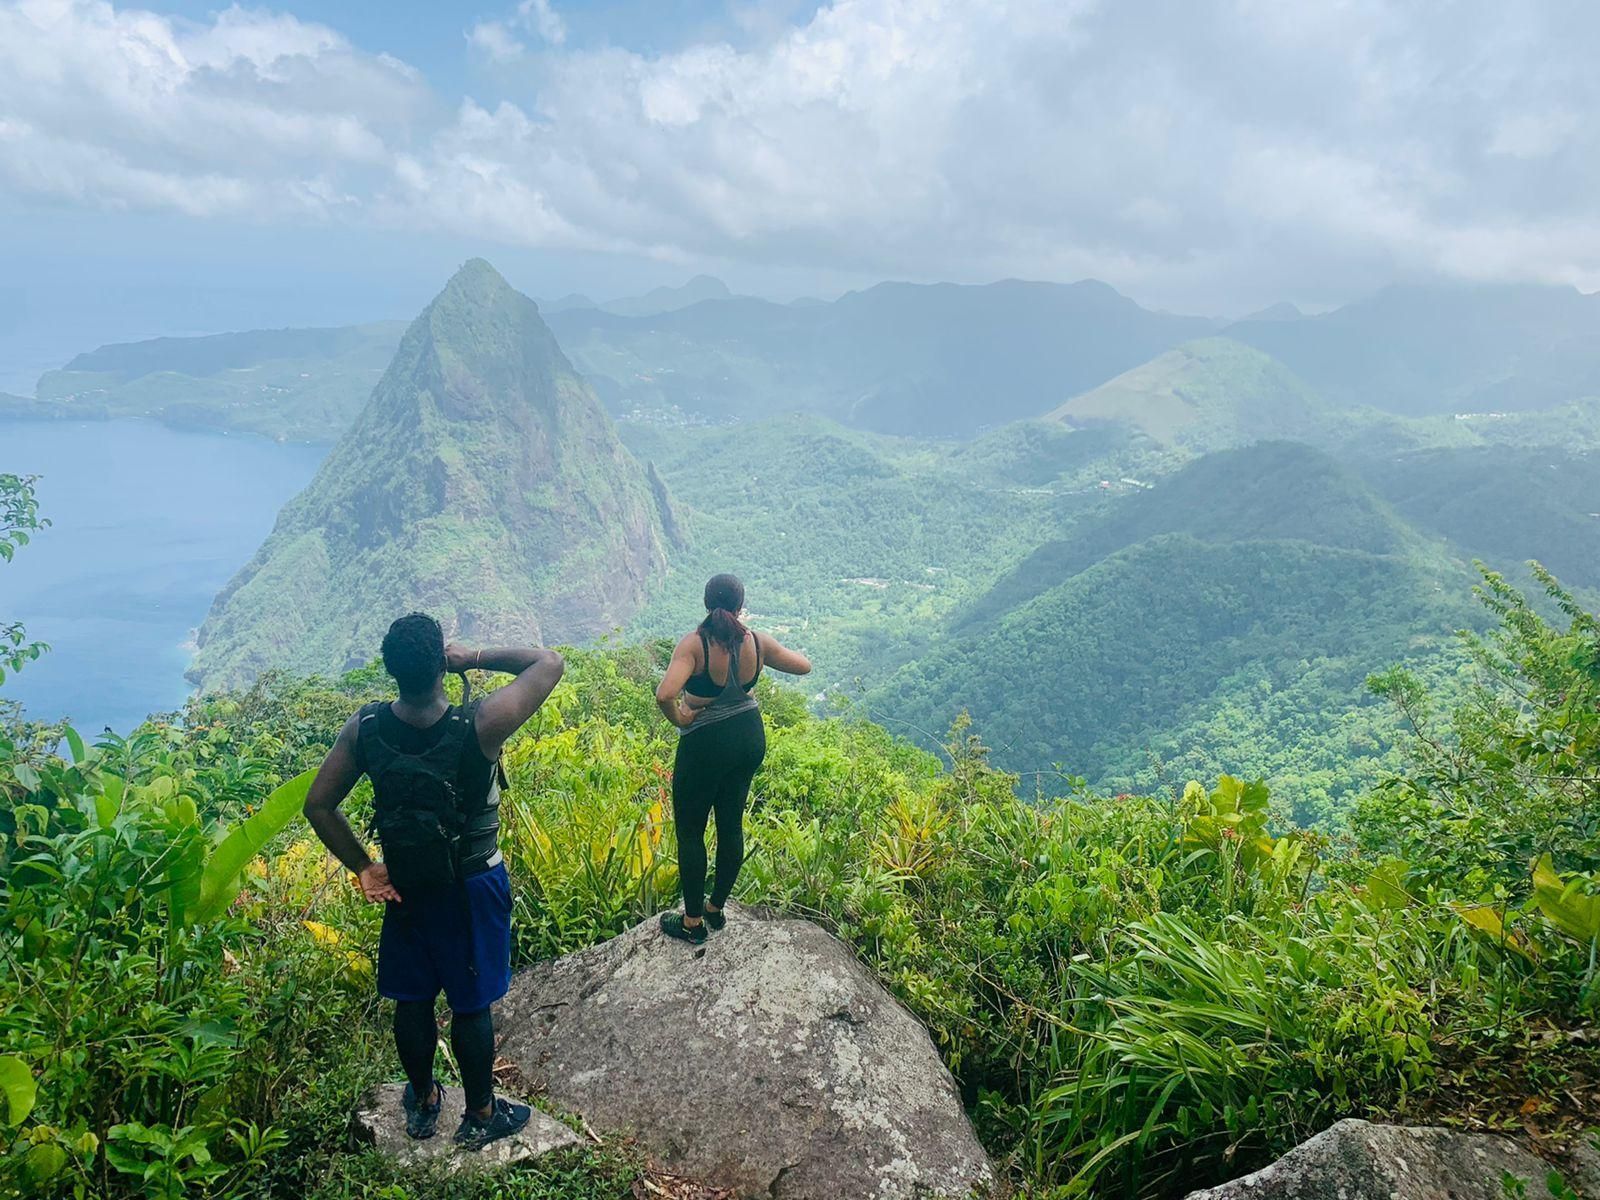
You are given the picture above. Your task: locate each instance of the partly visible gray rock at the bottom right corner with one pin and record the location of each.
(1358, 1161)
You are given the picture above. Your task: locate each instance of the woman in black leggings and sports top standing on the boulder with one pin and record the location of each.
(708, 694)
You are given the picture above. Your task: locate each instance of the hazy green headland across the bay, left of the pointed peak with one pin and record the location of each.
(289, 385)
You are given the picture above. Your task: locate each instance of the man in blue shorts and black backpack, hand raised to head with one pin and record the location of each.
(436, 801)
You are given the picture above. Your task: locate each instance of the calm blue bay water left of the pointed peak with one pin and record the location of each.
(148, 524)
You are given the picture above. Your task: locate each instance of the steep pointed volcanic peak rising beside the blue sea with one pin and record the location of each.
(482, 484)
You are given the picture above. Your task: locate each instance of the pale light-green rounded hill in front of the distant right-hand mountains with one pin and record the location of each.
(1209, 394)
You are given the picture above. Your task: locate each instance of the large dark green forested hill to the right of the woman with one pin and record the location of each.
(1265, 583)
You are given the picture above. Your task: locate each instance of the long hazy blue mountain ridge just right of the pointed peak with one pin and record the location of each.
(938, 359)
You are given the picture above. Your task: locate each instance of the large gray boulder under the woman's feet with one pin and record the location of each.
(769, 1063)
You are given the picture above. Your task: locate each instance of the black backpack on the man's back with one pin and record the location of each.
(418, 812)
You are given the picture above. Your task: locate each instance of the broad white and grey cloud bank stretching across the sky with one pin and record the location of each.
(1199, 150)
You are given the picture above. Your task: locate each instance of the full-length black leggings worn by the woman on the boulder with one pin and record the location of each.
(713, 775)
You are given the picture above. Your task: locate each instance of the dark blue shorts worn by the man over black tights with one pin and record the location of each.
(457, 943)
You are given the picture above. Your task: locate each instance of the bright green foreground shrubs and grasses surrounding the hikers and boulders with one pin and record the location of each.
(1137, 996)
